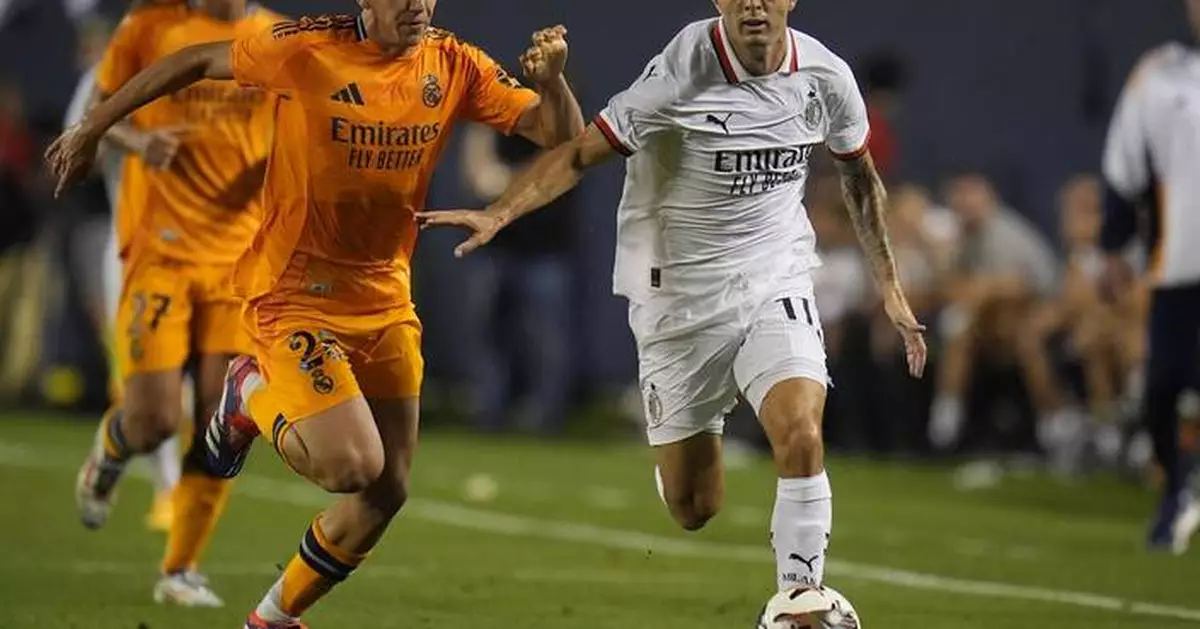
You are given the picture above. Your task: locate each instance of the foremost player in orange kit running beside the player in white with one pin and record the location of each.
(368, 104)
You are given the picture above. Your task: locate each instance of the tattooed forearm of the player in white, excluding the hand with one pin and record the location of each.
(867, 203)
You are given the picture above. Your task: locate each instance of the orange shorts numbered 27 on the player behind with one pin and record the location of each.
(171, 310)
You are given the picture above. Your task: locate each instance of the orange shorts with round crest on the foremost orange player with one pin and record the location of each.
(314, 362)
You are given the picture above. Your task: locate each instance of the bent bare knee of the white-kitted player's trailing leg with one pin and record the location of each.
(692, 480)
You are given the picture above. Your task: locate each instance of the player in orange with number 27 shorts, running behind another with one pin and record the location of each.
(185, 213)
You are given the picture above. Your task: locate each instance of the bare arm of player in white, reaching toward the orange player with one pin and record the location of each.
(550, 177)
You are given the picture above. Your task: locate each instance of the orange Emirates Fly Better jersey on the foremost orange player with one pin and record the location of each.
(361, 136)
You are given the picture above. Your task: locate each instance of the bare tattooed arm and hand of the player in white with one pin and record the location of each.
(867, 203)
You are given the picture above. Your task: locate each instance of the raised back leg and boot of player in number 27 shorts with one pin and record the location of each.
(148, 417)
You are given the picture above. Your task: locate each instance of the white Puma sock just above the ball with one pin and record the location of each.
(800, 530)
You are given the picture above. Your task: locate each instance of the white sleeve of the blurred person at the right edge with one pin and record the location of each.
(1126, 164)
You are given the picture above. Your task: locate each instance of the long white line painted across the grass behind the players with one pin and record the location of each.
(495, 523)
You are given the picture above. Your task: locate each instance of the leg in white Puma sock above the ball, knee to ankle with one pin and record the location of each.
(791, 415)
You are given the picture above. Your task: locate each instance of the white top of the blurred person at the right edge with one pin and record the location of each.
(1154, 152)
